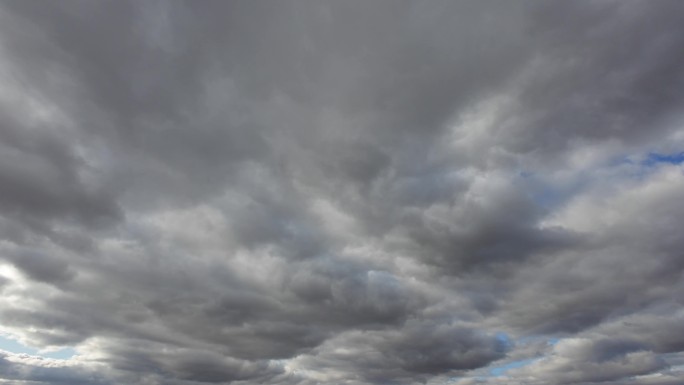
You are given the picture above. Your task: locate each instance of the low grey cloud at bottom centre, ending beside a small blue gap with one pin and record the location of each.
(414, 352)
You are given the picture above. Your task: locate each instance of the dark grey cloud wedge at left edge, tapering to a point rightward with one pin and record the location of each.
(40, 175)
